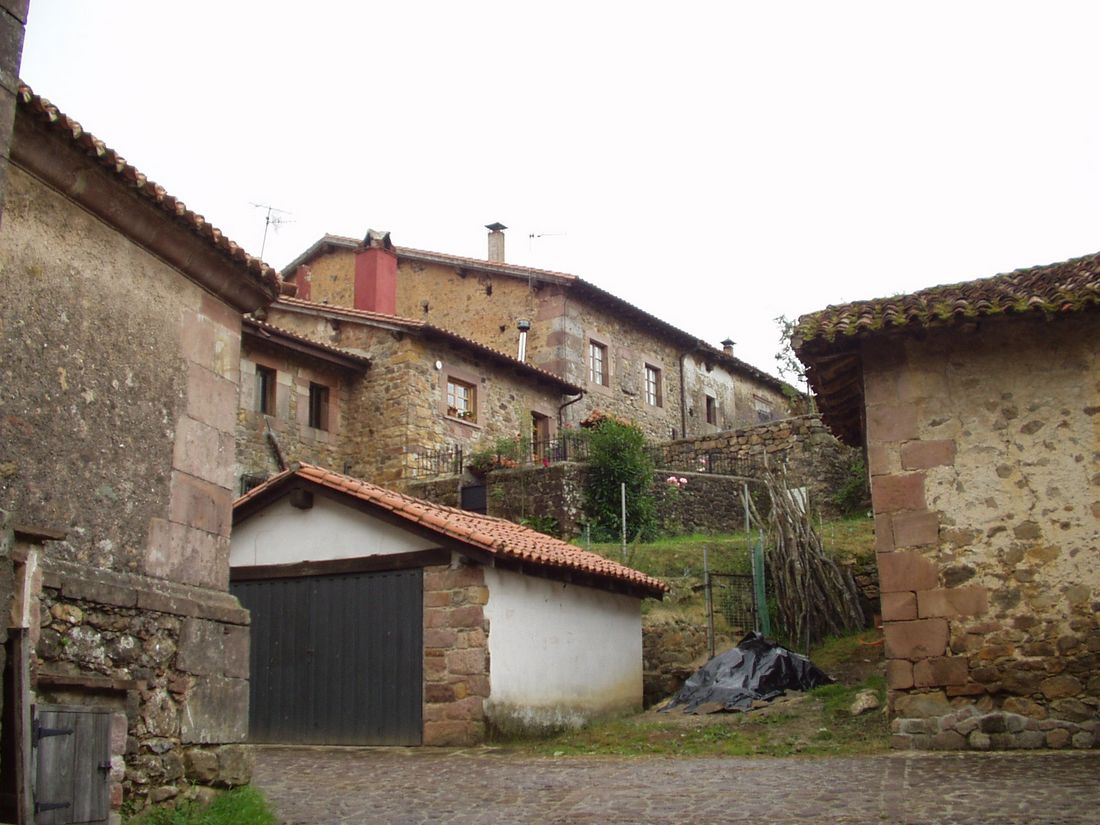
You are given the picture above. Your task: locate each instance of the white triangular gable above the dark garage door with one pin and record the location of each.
(283, 535)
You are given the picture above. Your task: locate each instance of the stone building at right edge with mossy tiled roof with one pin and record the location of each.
(980, 409)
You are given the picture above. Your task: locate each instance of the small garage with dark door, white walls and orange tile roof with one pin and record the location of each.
(383, 620)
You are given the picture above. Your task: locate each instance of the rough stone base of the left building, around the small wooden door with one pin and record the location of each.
(172, 663)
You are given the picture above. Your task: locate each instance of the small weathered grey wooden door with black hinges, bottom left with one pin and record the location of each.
(73, 764)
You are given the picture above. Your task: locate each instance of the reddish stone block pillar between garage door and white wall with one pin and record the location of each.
(456, 654)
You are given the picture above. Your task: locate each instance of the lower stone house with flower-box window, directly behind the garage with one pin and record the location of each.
(408, 392)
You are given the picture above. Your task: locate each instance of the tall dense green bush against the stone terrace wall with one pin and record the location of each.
(618, 456)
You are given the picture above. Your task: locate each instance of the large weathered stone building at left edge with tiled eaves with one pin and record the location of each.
(122, 332)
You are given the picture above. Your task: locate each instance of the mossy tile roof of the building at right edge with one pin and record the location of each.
(1052, 290)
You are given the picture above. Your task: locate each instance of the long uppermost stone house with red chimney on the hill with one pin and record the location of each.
(629, 362)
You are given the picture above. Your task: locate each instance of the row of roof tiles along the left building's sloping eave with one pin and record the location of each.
(47, 113)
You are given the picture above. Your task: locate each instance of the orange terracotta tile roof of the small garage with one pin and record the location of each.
(496, 536)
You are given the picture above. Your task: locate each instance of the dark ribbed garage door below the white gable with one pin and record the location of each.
(336, 659)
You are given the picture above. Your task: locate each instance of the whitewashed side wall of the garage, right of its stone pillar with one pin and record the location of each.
(560, 654)
